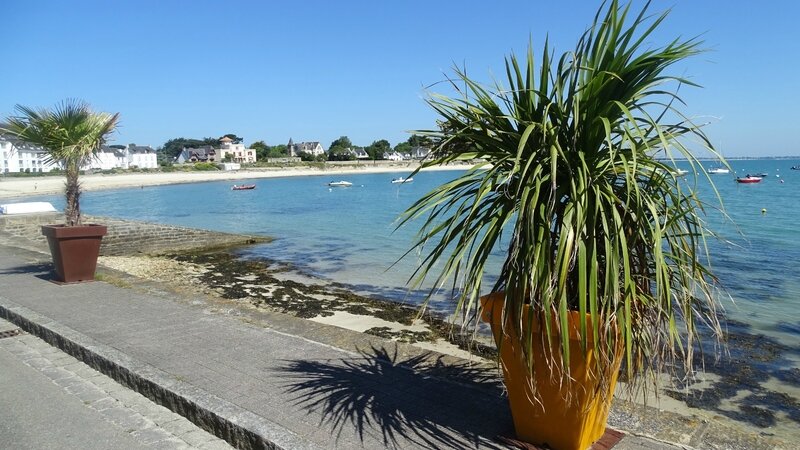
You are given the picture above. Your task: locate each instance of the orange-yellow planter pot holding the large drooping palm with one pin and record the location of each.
(549, 419)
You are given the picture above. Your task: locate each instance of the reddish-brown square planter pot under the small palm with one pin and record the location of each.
(74, 250)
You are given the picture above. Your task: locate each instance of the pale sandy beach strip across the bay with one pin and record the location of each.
(30, 186)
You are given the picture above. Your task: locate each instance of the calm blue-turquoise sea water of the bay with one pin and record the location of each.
(347, 234)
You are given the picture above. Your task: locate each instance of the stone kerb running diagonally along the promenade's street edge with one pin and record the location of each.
(238, 426)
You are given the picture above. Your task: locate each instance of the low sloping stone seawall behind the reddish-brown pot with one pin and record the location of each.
(129, 237)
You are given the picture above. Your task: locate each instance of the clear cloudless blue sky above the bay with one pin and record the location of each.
(316, 70)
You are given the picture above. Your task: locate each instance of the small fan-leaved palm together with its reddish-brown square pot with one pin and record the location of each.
(70, 133)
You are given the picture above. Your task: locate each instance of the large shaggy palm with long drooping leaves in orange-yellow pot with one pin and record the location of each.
(604, 245)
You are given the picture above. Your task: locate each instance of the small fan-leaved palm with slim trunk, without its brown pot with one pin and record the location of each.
(70, 133)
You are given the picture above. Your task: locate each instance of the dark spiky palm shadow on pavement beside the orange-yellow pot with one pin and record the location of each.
(421, 401)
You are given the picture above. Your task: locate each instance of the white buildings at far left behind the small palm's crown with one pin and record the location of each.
(18, 156)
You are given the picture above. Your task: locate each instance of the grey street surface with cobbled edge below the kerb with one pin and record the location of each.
(51, 400)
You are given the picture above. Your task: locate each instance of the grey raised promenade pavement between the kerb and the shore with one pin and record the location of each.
(266, 380)
